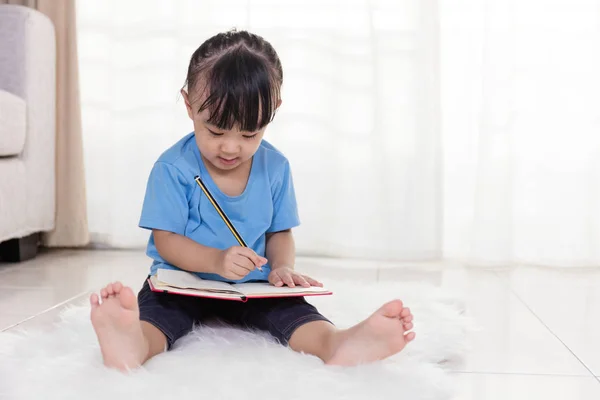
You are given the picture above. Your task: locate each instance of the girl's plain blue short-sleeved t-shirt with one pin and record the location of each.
(174, 202)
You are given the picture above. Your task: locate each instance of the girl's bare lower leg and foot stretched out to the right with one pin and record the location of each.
(381, 335)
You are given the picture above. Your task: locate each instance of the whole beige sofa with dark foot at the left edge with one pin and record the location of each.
(27, 130)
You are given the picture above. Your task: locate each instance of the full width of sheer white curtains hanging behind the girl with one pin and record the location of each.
(416, 129)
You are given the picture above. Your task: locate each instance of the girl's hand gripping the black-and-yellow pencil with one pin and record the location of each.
(236, 262)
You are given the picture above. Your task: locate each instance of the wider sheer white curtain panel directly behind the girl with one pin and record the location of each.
(358, 121)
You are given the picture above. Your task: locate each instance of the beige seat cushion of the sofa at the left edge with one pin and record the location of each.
(12, 124)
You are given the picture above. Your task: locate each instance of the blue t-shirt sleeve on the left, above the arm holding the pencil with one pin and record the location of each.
(165, 202)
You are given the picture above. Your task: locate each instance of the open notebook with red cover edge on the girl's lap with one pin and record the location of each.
(185, 283)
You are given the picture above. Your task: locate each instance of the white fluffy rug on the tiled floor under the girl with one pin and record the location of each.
(225, 363)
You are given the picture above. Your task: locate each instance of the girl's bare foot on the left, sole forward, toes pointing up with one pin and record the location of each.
(117, 325)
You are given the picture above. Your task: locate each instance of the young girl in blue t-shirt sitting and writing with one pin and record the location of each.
(233, 90)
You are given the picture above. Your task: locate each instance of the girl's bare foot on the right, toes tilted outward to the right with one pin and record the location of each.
(381, 335)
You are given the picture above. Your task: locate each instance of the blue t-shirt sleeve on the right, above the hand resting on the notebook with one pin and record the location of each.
(285, 209)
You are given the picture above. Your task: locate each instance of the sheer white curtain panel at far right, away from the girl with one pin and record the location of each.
(521, 131)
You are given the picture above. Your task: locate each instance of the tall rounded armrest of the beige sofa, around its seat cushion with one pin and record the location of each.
(28, 70)
